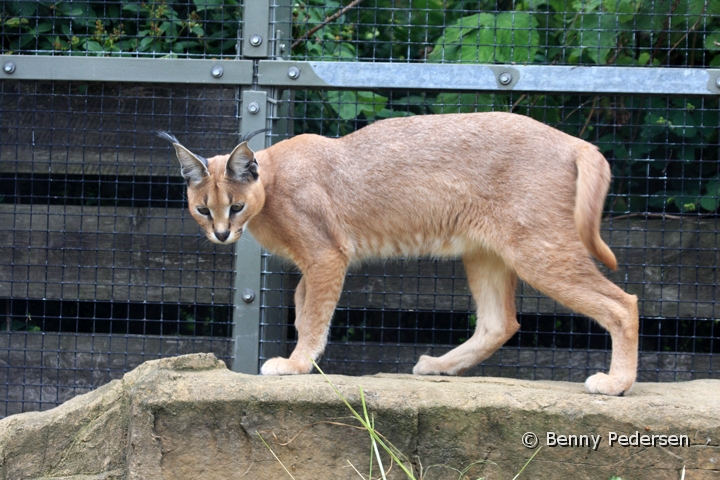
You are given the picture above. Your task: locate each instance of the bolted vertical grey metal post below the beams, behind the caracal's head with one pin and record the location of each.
(248, 256)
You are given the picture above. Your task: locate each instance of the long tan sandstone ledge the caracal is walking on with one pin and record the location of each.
(190, 418)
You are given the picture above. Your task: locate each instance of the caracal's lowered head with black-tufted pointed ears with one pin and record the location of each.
(224, 192)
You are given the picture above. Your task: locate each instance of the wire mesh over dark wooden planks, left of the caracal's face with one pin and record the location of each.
(101, 268)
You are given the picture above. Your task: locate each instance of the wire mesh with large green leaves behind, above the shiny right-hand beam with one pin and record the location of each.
(561, 32)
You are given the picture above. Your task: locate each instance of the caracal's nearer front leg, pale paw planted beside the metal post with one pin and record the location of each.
(322, 284)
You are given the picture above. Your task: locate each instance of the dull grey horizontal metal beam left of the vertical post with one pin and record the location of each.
(119, 69)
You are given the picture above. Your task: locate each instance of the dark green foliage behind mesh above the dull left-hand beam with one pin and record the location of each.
(157, 28)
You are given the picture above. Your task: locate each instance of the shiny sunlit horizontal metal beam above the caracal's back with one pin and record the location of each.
(519, 78)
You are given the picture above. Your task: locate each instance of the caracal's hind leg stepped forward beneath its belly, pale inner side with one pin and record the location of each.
(492, 284)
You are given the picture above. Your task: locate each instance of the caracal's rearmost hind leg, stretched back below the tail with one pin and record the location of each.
(575, 282)
